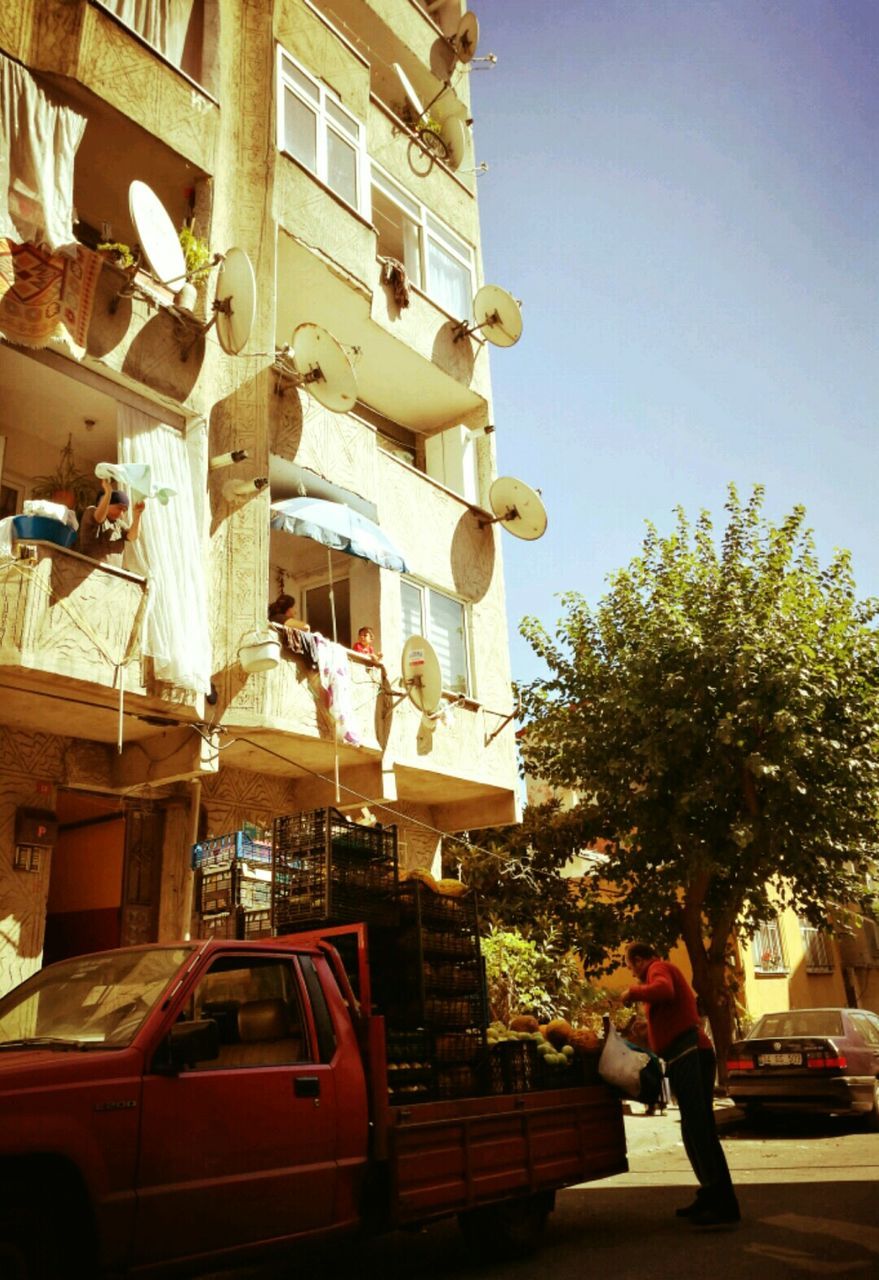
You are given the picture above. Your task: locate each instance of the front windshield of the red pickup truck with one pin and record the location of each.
(90, 1000)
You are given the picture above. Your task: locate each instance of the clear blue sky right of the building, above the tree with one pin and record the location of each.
(685, 196)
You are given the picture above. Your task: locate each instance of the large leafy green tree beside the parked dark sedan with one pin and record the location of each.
(720, 712)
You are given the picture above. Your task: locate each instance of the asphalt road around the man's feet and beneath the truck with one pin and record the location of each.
(808, 1190)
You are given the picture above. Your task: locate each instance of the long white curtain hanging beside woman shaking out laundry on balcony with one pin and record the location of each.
(170, 551)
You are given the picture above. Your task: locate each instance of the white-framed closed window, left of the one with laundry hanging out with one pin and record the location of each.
(323, 106)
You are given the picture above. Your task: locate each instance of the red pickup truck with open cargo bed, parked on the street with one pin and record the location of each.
(191, 1105)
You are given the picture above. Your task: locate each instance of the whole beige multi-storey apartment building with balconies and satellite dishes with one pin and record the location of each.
(135, 717)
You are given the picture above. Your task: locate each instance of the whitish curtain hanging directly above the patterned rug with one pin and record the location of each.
(38, 148)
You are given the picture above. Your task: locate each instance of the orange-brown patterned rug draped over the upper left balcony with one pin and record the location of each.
(43, 291)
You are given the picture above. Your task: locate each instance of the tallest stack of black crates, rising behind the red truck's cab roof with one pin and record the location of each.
(331, 871)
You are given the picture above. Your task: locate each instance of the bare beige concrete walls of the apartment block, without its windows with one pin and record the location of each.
(209, 147)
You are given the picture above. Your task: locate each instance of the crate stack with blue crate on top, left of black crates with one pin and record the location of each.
(234, 886)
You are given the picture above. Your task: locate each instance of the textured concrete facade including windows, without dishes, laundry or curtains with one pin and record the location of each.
(208, 134)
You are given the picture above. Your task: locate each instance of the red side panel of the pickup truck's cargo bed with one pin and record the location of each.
(452, 1156)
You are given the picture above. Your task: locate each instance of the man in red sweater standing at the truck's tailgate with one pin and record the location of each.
(674, 1028)
